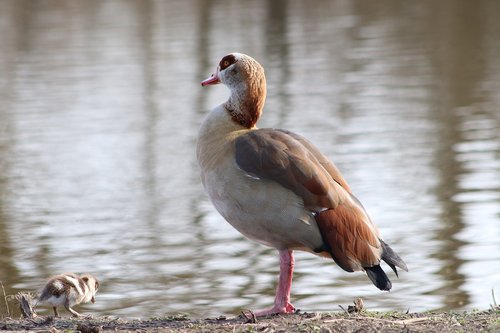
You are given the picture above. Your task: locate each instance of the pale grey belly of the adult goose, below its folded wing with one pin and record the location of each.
(262, 210)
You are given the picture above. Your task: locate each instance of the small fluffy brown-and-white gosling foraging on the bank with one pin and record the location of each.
(69, 289)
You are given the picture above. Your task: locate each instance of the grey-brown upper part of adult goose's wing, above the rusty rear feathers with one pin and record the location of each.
(279, 156)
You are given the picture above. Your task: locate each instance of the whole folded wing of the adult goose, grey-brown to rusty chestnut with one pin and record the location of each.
(289, 159)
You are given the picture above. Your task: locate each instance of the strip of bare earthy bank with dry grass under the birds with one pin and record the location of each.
(353, 319)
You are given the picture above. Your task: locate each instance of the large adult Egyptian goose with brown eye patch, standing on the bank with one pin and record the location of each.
(278, 189)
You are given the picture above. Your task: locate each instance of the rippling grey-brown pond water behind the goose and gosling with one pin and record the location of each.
(99, 109)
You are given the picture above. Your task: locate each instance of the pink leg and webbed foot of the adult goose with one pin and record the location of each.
(282, 301)
